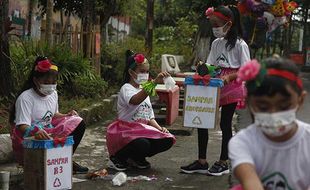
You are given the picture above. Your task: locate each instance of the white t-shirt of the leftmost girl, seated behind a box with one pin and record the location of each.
(32, 108)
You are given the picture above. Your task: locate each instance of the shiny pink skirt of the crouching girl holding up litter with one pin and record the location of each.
(120, 133)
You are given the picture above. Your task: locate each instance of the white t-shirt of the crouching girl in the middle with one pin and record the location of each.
(128, 112)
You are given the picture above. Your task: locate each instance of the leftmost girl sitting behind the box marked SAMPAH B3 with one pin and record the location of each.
(35, 112)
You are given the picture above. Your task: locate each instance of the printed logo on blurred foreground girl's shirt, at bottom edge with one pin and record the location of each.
(276, 181)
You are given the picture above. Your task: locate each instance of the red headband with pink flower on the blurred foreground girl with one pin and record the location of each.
(254, 71)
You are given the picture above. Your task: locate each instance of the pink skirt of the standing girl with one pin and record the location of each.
(232, 92)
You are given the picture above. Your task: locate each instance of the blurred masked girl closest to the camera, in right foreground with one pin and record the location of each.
(274, 151)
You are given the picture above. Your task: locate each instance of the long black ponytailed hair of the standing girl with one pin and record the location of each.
(235, 31)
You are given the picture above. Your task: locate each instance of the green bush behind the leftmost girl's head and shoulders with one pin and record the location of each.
(72, 67)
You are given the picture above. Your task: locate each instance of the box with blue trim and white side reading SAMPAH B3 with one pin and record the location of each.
(48, 164)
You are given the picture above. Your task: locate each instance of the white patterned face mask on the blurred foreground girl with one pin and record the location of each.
(276, 124)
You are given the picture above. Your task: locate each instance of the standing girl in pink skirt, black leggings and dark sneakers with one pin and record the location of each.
(229, 52)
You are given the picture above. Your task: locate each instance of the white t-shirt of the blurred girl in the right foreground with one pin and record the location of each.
(283, 165)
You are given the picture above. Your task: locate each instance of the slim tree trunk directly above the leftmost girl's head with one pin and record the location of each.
(49, 22)
